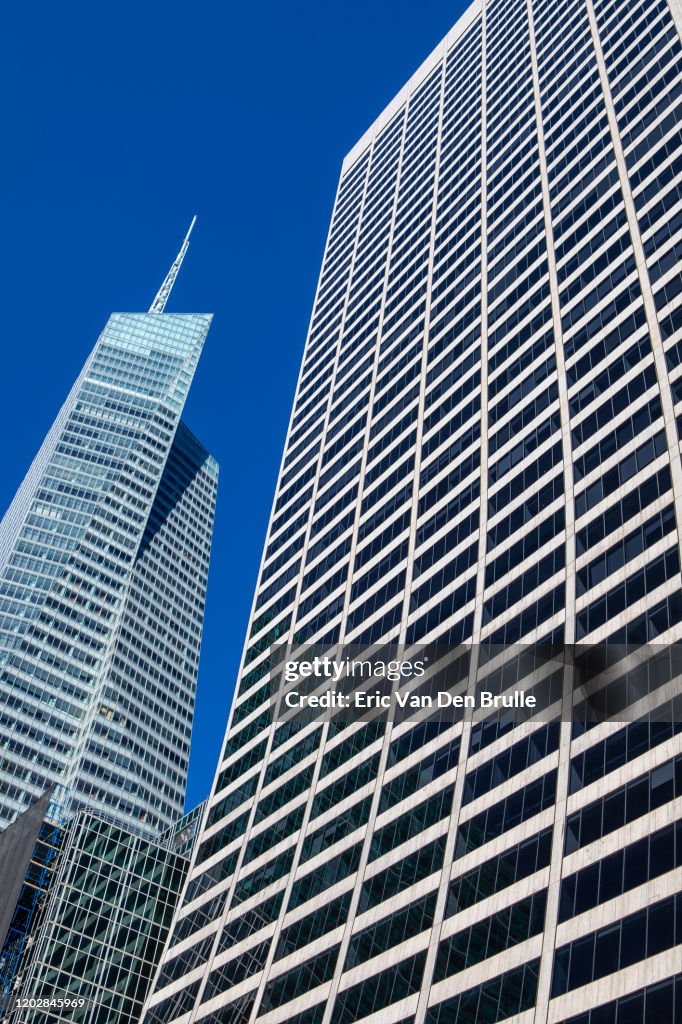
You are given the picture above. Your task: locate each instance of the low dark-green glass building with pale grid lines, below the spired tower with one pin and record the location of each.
(95, 948)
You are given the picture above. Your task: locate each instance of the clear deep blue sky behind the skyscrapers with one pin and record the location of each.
(121, 121)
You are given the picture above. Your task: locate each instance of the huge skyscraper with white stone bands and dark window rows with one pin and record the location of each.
(484, 447)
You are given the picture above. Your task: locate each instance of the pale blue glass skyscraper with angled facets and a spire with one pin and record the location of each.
(104, 563)
